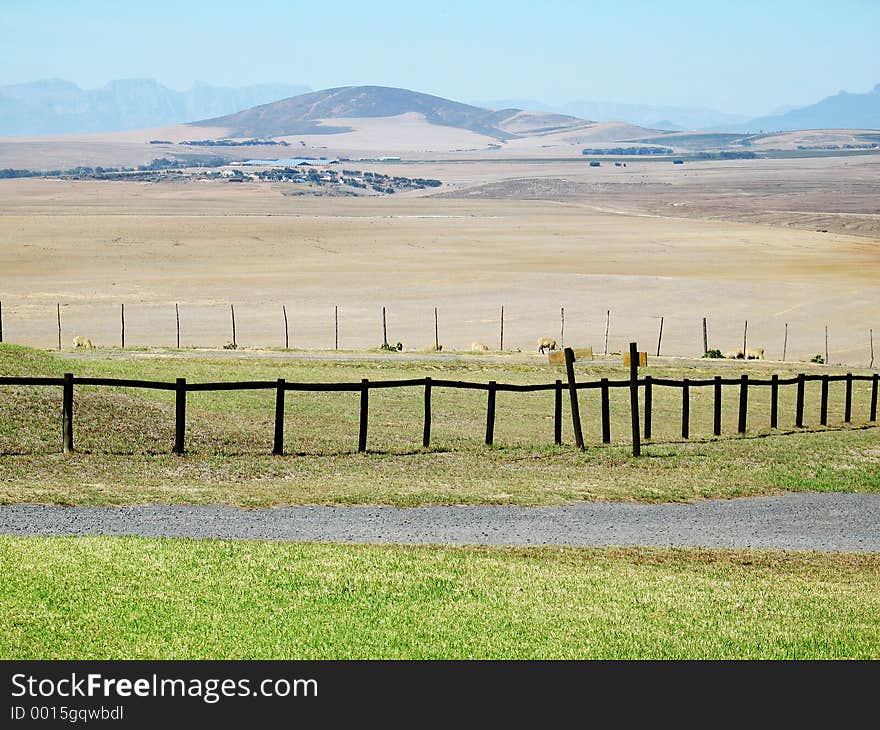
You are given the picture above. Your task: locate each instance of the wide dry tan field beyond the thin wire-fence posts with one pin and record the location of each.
(779, 241)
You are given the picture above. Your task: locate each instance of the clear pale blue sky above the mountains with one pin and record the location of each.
(745, 57)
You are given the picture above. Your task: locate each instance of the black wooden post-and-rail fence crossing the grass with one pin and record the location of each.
(644, 385)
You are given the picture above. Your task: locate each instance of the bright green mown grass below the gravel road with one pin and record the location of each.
(134, 598)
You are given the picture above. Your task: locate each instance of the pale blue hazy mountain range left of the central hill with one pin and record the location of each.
(61, 107)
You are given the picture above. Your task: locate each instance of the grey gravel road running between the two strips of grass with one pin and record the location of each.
(824, 522)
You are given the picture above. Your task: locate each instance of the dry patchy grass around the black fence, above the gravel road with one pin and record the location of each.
(124, 437)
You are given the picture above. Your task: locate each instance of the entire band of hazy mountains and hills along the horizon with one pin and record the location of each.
(56, 107)
